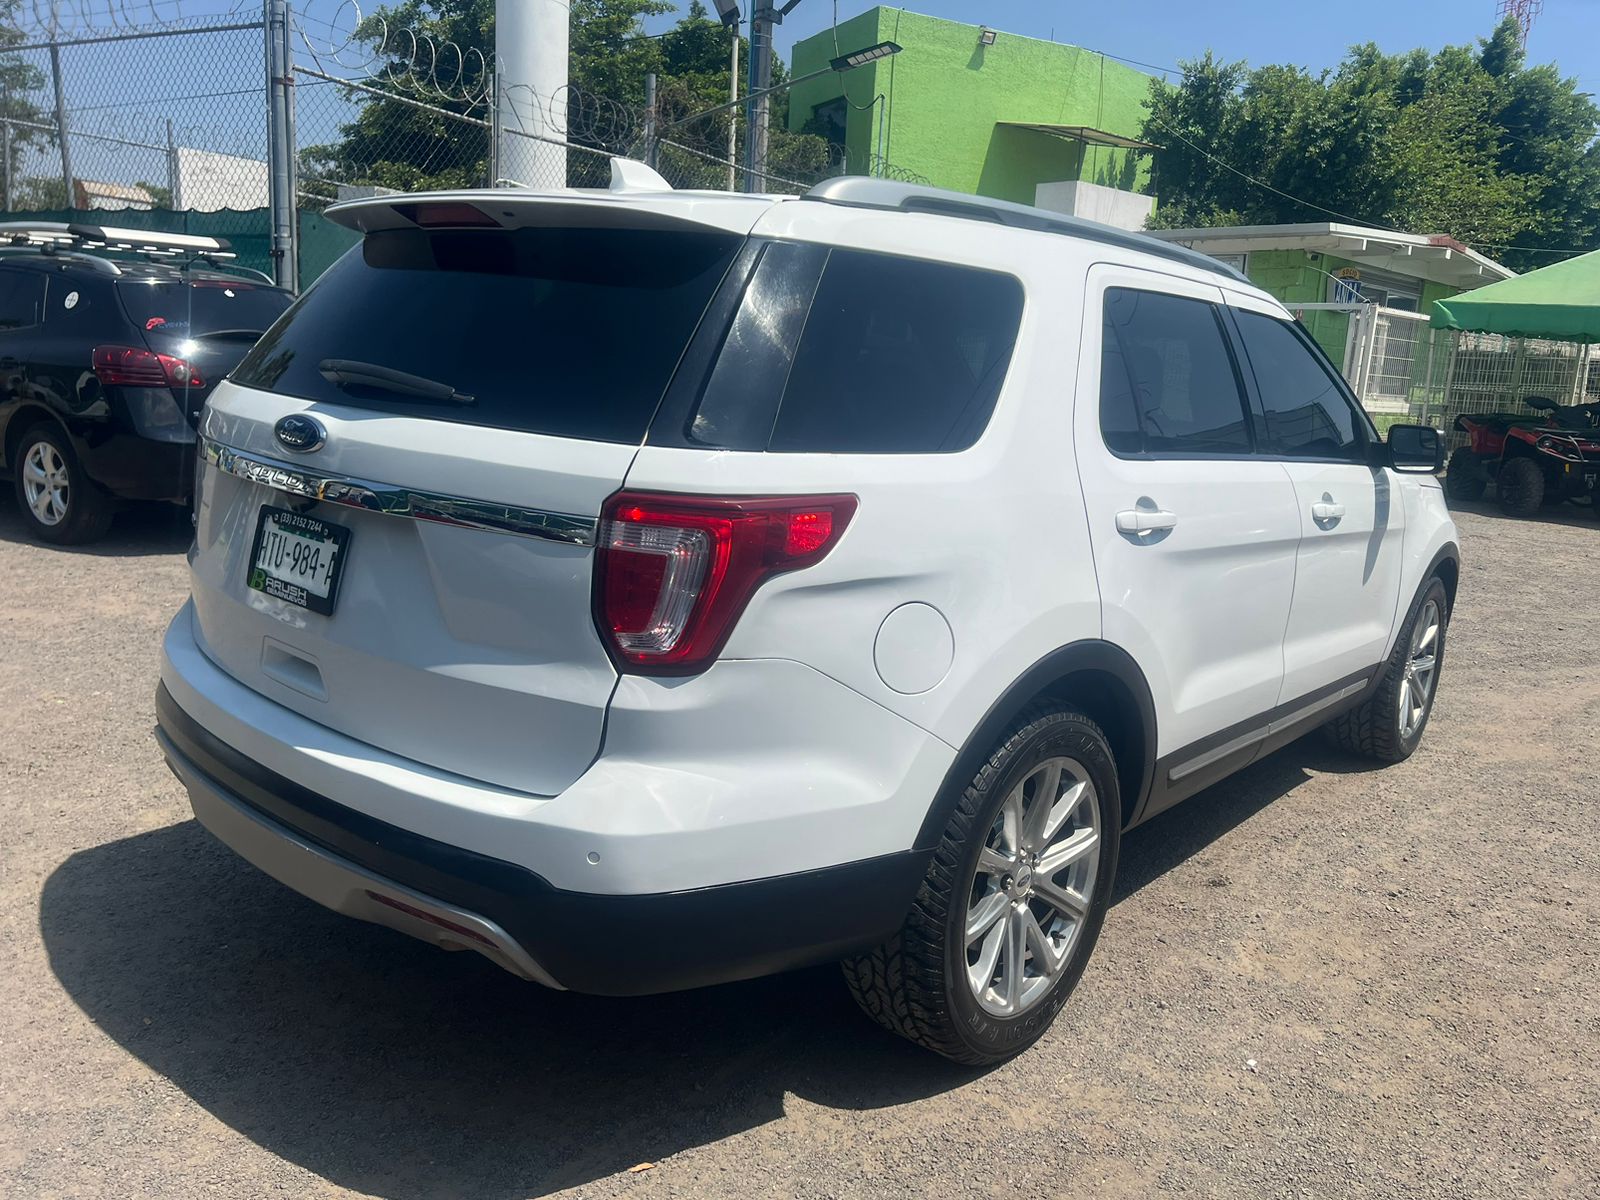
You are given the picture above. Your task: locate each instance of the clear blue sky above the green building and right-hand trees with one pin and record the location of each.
(1262, 31)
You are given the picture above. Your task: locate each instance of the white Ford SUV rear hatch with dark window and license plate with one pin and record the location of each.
(554, 334)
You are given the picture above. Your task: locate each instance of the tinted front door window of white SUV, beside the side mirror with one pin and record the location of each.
(1306, 414)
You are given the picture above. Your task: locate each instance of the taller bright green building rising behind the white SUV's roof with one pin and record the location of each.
(982, 111)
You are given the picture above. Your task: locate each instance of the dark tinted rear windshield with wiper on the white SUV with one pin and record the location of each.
(564, 332)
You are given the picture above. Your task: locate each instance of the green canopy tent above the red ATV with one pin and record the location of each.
(1559, 303)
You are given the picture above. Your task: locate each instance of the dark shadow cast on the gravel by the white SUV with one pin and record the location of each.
(394, 1070)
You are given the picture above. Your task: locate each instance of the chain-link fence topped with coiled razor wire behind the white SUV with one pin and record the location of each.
(166, 114)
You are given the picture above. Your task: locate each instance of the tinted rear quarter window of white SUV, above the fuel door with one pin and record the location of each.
(876, 354)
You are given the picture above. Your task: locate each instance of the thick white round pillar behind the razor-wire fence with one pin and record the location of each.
(530, 74)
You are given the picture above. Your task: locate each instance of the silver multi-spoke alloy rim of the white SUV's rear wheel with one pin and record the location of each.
(1031, 890)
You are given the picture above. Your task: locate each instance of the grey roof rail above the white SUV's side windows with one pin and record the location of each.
(855, 191)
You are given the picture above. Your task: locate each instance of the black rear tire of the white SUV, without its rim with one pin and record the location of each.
(916, 985)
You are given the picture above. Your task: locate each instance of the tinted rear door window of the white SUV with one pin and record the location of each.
(1167, 378)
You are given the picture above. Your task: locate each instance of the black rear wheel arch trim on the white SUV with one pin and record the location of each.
(1100, 681)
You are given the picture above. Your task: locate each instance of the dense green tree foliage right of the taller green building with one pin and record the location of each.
(1468, 142)
